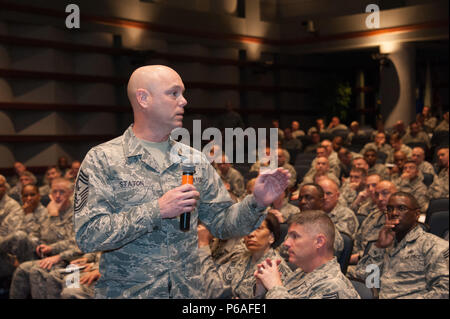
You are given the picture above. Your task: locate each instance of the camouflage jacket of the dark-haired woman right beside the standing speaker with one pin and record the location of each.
(235, 277)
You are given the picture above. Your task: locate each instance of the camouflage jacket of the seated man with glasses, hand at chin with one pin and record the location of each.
(415, 267)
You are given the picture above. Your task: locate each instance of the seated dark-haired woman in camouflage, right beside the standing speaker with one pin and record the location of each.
(235, 277)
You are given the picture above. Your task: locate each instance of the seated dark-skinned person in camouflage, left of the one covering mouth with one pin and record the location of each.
(19, 231)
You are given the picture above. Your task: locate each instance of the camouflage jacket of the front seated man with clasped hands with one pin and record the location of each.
(325, 282)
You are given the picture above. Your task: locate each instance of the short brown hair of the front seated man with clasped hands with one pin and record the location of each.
(317, 222)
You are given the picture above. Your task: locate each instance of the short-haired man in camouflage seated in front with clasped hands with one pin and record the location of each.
(318, 276)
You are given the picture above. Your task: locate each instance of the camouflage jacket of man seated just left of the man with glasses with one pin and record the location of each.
(368, 231)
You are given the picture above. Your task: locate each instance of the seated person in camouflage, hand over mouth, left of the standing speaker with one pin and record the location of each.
(56, 242)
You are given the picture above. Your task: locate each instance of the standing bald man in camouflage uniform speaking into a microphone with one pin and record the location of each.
(128, 198)
